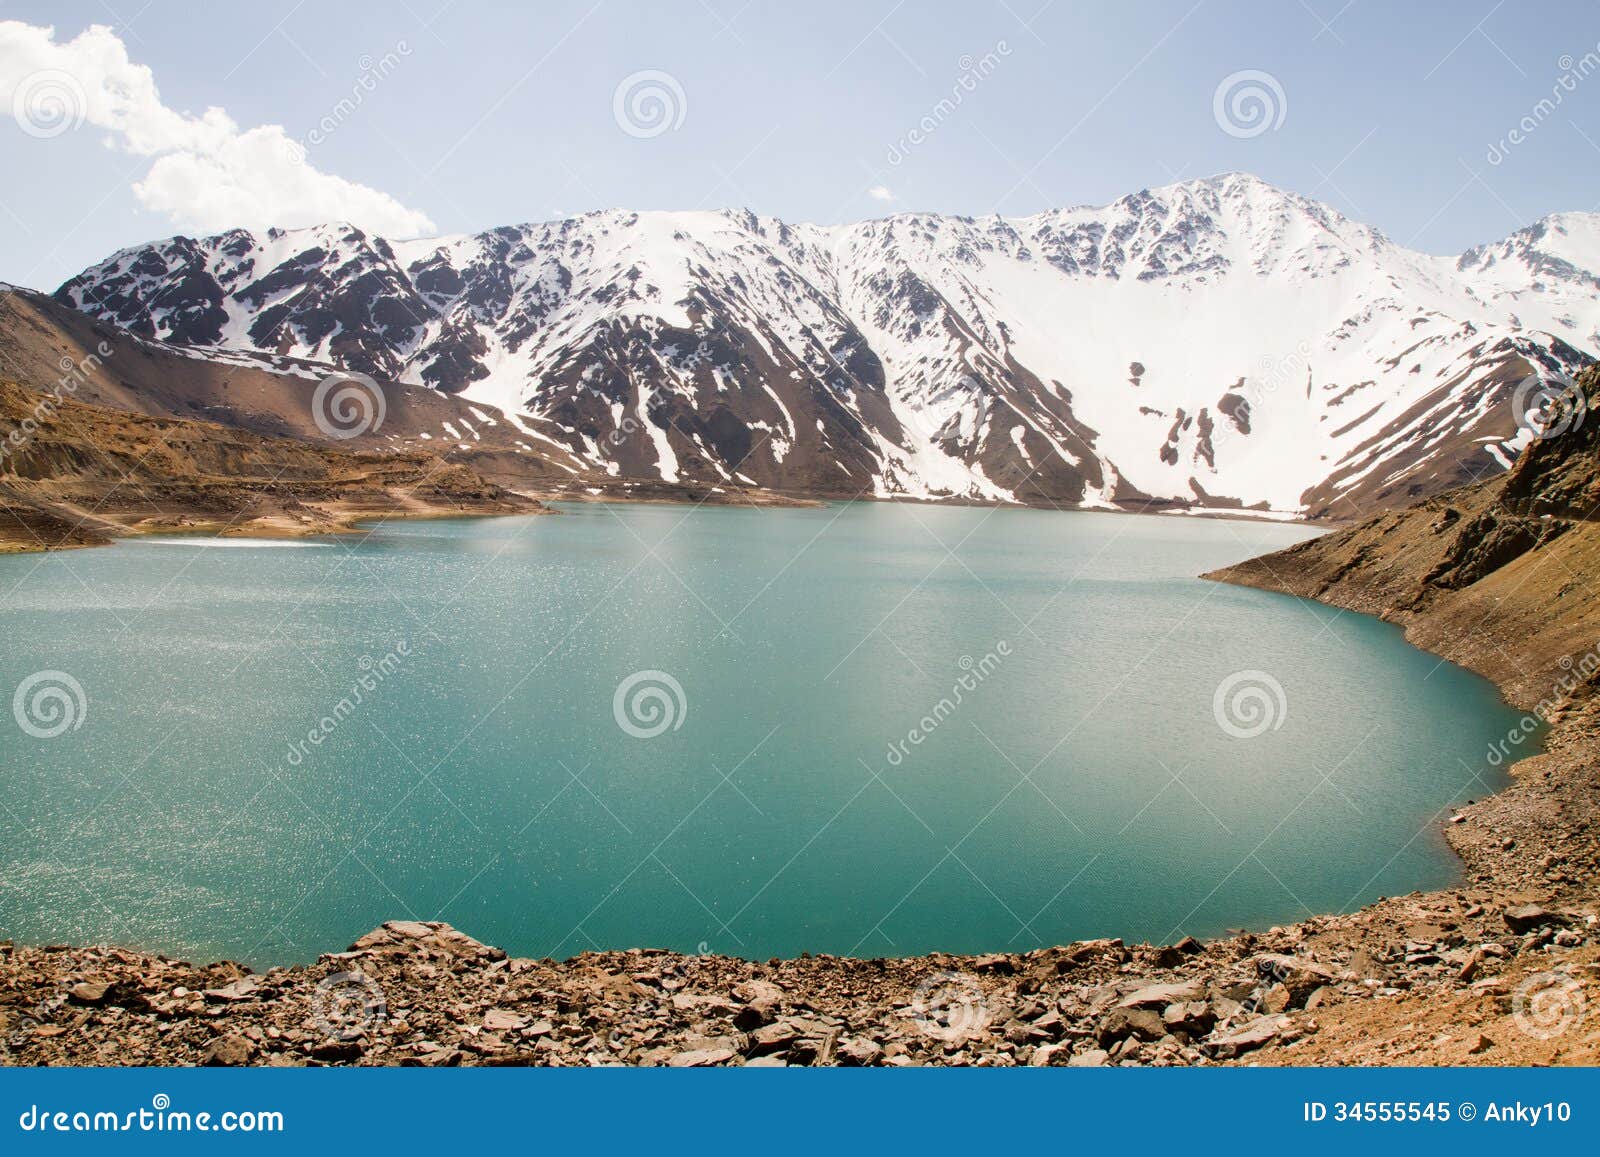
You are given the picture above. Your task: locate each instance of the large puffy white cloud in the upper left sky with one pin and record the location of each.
(209, 175)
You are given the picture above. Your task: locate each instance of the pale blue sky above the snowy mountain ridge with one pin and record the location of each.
(492, 114)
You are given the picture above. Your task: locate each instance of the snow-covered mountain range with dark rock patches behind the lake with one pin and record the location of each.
(1215, 343)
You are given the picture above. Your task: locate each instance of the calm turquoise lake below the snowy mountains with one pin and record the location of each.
(868, 729)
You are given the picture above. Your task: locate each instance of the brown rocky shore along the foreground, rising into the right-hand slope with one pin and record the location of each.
(1503, 969)
